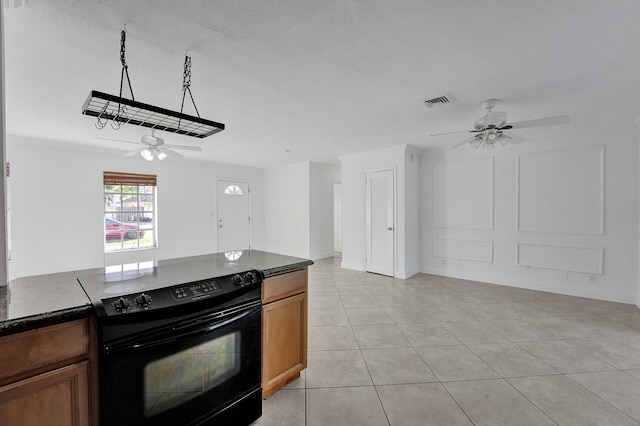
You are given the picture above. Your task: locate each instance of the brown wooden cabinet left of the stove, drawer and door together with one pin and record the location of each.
(46, 374)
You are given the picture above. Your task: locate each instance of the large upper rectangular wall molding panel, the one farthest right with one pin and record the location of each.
(562, 191)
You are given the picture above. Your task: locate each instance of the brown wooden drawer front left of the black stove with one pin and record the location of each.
(33, 349)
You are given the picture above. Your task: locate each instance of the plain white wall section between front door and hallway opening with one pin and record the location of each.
(287, 210)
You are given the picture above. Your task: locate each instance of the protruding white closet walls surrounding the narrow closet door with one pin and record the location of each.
(354, 168)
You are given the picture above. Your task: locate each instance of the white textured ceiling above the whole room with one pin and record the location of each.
(322, 78)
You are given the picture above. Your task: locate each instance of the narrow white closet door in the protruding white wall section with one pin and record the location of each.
(380, 231)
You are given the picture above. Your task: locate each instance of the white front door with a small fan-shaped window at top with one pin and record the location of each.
(233, 216)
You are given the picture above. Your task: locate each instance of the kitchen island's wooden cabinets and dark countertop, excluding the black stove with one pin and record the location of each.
(48, 332)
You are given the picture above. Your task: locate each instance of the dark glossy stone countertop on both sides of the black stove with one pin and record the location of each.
(31, 302)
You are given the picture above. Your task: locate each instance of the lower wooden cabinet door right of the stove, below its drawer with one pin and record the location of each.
(284, 342)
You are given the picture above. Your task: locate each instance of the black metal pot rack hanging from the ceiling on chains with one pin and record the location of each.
(119, 110)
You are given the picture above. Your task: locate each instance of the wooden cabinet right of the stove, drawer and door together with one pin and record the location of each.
(284, 329)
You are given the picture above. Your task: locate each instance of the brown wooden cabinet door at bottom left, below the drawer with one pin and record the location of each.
(59, 397)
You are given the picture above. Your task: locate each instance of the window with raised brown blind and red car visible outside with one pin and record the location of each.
(129, 211)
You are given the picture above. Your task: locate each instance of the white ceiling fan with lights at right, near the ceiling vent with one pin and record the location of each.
(490, 128)
